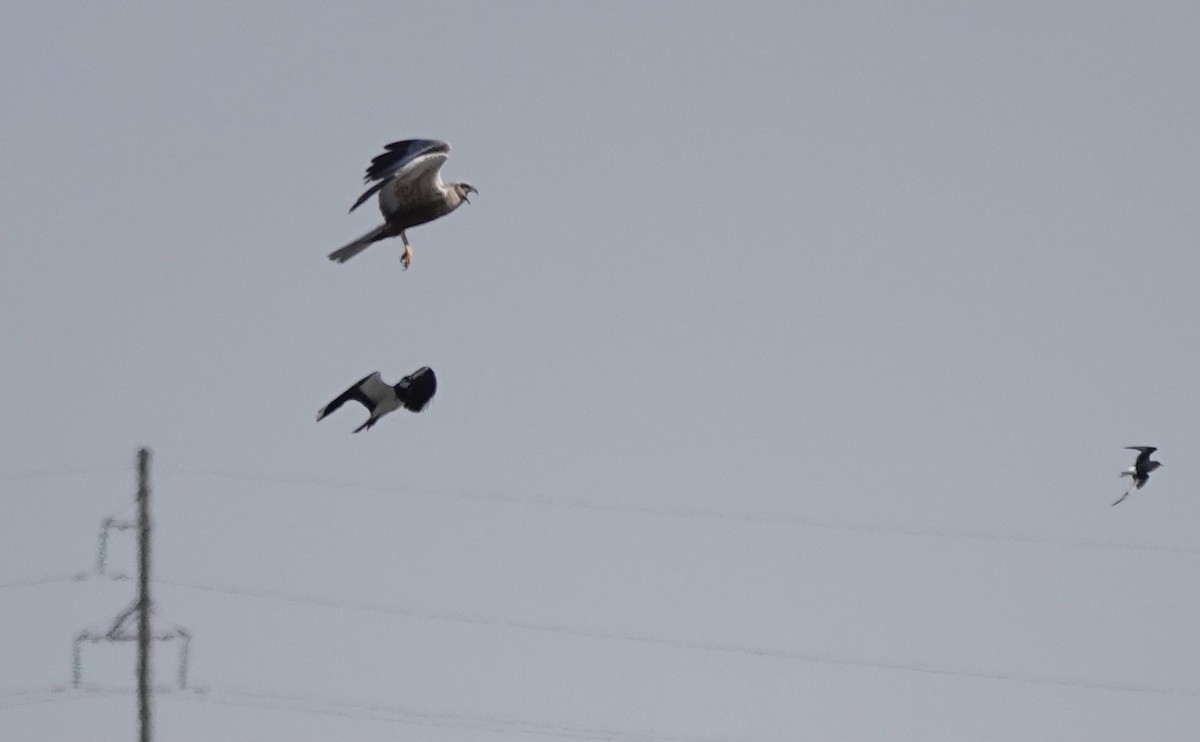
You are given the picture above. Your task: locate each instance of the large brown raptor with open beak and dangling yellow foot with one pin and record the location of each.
(409, 179)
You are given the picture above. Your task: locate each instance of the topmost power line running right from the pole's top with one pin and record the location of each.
(699, 514)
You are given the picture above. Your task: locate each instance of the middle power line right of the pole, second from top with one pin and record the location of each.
(805, 656)
